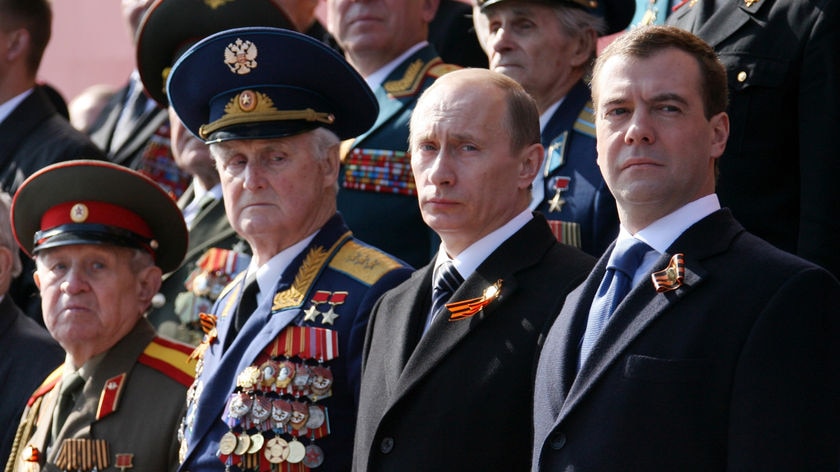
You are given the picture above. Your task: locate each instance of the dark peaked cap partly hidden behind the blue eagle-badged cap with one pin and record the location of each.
(170, 27)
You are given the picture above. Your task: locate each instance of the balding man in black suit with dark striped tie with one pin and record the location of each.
(450, 388)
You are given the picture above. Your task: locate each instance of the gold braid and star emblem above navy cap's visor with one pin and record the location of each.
(255, 107)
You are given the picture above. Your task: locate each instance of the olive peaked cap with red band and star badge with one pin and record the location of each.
(96, 202)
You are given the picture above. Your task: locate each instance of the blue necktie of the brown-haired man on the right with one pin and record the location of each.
(615, 285)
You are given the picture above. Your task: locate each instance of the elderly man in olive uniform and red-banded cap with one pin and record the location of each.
(101, 236)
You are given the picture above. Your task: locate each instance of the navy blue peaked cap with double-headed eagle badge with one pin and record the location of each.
(266, 83)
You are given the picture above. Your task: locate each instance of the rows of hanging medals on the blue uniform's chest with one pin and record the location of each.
(275, 405)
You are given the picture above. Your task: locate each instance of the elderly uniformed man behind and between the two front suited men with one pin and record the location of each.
(548, 46)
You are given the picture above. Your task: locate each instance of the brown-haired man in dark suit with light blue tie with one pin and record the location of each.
(724, 354)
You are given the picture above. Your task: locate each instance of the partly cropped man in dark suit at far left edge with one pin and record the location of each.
(20, 338)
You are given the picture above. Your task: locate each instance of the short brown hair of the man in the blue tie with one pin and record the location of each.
(649, 40)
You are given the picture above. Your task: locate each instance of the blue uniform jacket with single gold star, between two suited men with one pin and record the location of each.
(579, 206)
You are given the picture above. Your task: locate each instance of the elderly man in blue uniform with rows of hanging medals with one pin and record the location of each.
(278, 377)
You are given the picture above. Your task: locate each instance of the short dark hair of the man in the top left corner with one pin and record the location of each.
(35, 16)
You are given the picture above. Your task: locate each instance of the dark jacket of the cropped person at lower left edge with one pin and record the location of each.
(21, 371)
